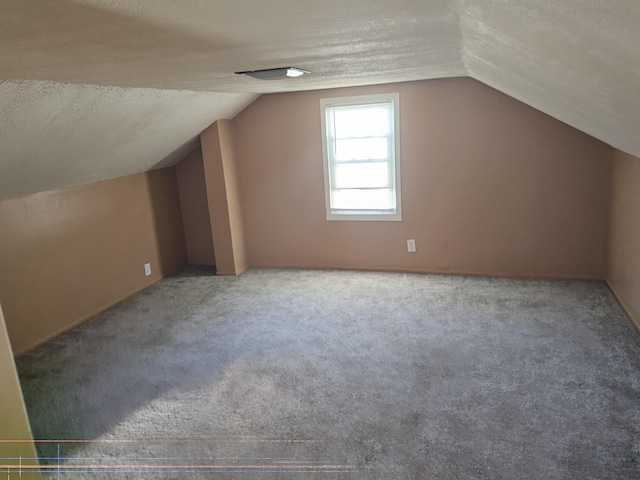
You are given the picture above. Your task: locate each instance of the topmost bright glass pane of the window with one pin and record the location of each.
(362, 121)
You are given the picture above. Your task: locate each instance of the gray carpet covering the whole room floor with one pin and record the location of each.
(338, 374)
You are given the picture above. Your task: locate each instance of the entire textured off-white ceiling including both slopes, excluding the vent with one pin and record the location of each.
(93, 89)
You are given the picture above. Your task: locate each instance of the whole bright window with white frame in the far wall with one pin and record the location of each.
(360, 150)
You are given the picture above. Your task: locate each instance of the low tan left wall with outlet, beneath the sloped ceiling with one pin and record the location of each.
(69, 254)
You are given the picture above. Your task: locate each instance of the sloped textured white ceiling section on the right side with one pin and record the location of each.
(576, 60)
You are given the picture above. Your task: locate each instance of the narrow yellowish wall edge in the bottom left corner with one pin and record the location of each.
(14, 423)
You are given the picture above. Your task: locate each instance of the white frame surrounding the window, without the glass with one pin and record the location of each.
(363, 215)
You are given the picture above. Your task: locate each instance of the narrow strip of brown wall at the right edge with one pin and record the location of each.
(624, 243)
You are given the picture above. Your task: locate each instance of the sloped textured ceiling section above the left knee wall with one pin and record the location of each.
(54, 135)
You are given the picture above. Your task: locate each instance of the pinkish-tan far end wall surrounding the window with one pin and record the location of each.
(489, 186)
